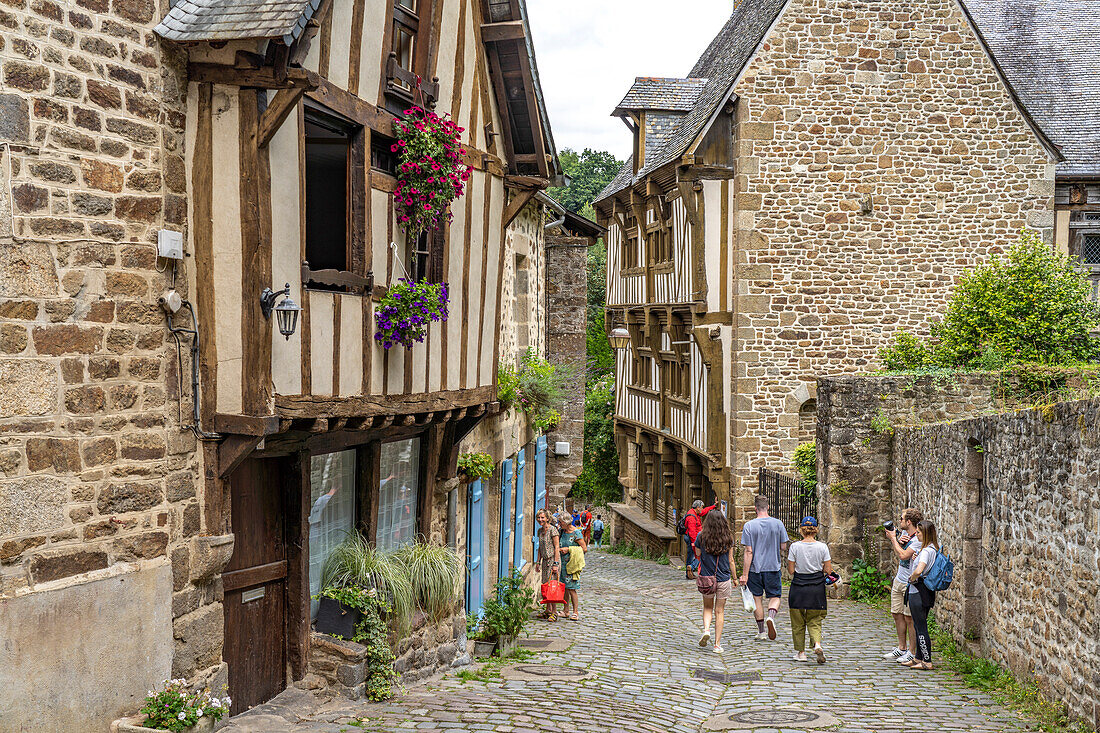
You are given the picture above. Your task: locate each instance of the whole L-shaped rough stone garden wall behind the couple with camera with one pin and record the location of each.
(1015, 496)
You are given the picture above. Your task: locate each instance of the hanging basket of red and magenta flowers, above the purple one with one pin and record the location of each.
(431, 173)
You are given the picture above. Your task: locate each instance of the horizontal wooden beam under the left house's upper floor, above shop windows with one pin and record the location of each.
(386, 407)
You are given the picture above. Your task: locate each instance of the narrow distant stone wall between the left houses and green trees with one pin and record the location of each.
(567, 315)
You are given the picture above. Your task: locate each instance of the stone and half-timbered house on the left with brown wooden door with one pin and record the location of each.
(163, 450)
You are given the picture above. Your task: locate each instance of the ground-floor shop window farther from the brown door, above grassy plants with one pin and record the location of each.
(399, 488)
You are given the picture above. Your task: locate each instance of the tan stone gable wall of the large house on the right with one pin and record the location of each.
(878, 157)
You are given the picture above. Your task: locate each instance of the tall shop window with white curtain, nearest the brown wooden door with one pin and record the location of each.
(333, 511)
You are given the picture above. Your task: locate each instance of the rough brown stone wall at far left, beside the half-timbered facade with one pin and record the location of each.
(95, 469)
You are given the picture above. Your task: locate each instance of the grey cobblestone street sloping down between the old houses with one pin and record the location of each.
(633, 660)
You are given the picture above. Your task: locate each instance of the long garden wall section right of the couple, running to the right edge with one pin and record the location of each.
(1017, 504)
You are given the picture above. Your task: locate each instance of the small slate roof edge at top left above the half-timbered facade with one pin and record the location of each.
(226, 20)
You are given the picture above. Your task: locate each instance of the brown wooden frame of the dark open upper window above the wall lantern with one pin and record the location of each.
(355, 278)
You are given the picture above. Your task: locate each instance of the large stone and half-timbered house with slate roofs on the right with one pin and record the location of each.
(816, 184)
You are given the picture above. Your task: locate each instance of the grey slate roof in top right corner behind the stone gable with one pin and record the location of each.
(1048, 51)
